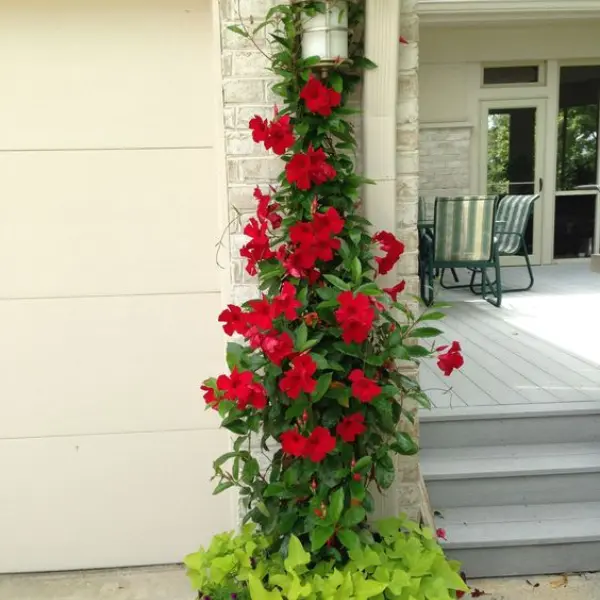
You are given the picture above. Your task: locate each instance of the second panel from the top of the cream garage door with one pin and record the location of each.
(86, 223)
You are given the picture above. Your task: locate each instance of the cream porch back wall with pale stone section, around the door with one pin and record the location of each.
(450, 81)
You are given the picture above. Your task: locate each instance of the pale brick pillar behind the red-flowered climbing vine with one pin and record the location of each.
(246, 91)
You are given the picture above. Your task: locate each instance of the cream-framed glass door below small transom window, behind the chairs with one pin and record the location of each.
(512, 158)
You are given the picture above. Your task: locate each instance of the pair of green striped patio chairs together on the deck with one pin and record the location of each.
(473, 233)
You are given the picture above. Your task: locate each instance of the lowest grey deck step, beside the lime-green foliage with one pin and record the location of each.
(523, 540)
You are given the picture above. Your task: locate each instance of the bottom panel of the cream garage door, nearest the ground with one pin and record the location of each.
(106, 501)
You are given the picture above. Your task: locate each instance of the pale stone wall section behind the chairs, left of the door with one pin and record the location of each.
(445, 160)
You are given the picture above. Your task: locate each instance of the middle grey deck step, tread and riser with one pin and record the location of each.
(512, 475)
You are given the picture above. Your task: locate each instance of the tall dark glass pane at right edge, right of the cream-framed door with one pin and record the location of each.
(576, 222)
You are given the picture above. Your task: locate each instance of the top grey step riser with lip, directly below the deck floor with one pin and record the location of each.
(520, 424)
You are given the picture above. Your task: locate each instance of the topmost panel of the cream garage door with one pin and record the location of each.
(106, 73)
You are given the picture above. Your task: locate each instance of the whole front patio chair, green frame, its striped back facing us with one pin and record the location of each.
(463, 237)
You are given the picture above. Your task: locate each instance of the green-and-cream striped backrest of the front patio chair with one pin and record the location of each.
(464, 228)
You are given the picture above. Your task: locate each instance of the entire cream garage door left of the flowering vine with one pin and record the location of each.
(108, 284)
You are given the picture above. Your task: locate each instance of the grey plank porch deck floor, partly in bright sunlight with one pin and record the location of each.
(540, 347)
